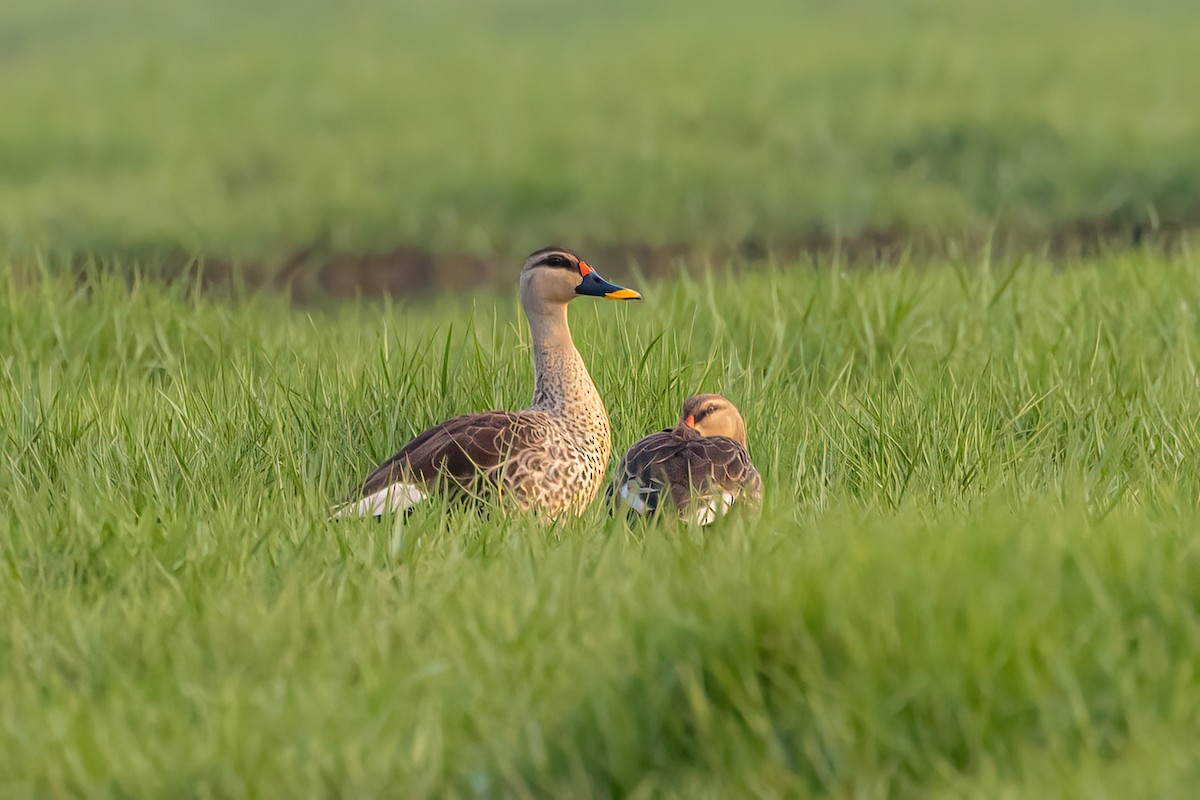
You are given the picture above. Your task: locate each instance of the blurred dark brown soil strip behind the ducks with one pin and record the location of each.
(309, 276)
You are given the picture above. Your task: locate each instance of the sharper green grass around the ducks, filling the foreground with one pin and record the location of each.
(976, 573)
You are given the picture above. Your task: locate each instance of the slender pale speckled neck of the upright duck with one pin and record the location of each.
(562, 383)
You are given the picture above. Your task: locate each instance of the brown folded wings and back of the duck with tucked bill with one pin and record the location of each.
(683, 464)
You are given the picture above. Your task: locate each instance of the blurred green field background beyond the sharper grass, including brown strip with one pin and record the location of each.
(419, 146)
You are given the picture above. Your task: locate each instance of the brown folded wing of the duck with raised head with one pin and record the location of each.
(467, 452)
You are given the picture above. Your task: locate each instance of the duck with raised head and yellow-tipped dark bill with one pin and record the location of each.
(550, 458)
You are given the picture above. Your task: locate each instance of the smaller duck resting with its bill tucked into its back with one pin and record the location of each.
(703, 465)
